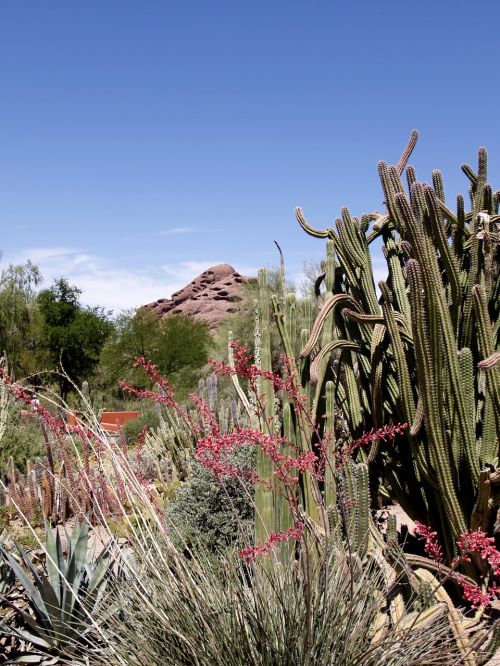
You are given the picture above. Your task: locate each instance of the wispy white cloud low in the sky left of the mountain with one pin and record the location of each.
(110, 285)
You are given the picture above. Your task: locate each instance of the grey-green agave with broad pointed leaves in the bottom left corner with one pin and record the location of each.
(63, 594)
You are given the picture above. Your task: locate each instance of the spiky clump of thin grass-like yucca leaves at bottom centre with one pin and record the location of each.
(226, 613)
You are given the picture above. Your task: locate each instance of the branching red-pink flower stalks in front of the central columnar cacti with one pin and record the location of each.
(290, 461)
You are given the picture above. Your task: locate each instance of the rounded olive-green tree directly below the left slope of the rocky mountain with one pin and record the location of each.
(178, 345)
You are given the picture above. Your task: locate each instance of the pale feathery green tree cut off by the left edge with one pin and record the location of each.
(18, 316)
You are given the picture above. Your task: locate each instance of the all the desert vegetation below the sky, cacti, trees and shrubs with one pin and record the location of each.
(244, 519)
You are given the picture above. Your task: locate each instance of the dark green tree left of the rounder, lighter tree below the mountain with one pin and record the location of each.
(72, 335)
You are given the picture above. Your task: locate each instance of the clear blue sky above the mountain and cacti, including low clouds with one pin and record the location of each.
(142, 142)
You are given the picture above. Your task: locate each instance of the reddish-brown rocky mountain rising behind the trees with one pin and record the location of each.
(210, 297)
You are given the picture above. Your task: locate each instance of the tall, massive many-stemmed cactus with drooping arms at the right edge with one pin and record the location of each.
(425, 350)
